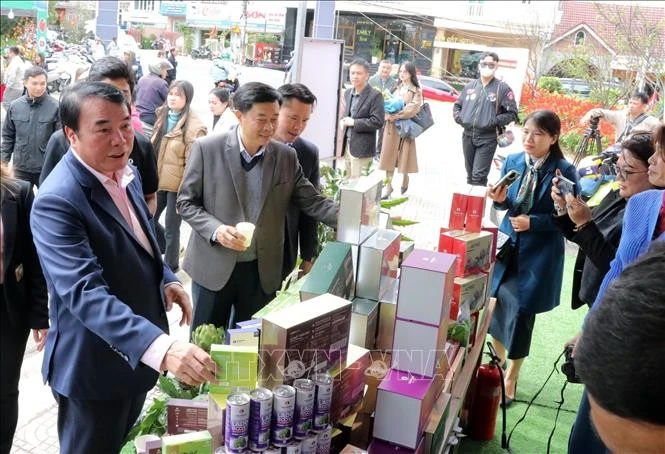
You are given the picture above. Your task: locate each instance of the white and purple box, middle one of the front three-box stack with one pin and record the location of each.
(419, 348)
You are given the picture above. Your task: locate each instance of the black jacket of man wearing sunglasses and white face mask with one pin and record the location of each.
(476, 108)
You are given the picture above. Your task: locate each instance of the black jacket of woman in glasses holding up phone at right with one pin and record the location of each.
(598, 243)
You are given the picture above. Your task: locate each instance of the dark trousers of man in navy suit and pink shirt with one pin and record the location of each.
(96, 426)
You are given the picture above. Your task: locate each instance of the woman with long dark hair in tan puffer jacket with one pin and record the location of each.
(176, 129)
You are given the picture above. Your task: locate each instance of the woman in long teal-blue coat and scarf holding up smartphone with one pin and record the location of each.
(529, 269)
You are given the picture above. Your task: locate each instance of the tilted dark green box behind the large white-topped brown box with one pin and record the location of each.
(332, 273)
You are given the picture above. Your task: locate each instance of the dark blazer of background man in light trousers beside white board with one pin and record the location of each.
(368, 116)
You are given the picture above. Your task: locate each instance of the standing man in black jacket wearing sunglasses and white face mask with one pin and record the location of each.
(483, 105)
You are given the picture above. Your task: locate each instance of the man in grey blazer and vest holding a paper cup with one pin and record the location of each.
(242, 176)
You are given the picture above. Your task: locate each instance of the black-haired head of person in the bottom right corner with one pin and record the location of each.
(619, 358)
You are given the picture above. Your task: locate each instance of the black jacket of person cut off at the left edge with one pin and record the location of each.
(25, 295)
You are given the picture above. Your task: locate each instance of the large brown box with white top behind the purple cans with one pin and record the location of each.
(298, 343)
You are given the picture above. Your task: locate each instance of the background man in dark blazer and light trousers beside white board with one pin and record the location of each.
(363, 117)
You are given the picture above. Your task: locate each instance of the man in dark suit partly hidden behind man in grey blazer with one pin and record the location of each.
(297, 106)
